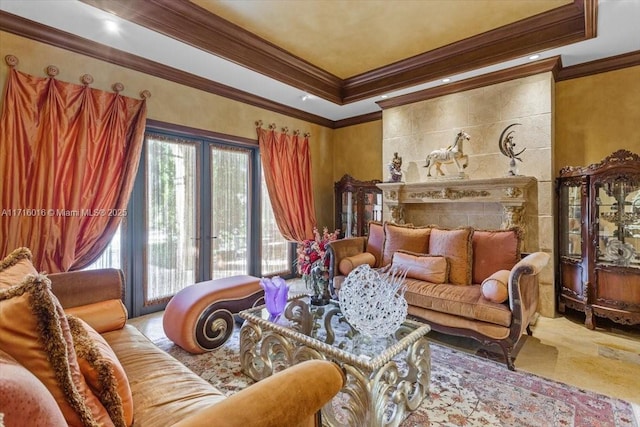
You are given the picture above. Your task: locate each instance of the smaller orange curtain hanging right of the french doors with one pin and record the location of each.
(286, 163)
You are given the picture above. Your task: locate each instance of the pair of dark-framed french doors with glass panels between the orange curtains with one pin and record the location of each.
(197, 214)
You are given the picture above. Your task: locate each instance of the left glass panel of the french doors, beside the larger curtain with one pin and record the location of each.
(171, 220)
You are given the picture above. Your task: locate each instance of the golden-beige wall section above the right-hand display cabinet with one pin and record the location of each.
(597, 115)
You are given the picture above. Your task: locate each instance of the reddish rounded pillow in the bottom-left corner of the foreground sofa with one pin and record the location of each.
(25, 400)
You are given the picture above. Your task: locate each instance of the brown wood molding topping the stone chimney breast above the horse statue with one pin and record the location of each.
(547, 65)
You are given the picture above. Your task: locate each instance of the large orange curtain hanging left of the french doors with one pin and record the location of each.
(68, 158)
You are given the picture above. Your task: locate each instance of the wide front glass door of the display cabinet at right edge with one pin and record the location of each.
(618, 217)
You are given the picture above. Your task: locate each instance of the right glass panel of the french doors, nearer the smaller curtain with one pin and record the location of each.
(230, 195)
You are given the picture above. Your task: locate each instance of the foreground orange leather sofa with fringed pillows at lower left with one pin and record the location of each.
(51, 376)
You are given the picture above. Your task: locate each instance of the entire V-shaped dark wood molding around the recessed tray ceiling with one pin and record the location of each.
(187, 22)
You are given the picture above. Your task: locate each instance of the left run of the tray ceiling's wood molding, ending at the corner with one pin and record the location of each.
(190, 24)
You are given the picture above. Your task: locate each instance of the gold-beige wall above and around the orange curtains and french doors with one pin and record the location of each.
(177, 104)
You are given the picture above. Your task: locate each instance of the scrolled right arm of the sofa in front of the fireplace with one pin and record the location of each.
(523, 290)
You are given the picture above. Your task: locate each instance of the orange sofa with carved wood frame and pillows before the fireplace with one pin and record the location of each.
(462, 281)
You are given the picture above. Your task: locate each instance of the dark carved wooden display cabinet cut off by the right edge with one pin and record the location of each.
(599, 239)
